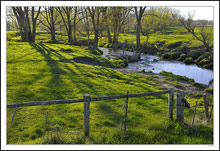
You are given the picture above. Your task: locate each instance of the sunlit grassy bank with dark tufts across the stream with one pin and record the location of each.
(175, 44)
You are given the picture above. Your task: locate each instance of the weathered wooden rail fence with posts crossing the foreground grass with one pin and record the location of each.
(87, 99)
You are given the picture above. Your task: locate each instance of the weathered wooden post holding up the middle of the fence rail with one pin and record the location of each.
(86, 114)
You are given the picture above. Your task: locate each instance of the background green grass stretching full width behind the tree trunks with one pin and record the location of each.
(175, 44)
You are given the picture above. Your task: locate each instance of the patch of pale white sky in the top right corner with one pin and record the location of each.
(199, 12)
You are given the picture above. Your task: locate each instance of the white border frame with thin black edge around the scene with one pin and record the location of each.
(215, 4)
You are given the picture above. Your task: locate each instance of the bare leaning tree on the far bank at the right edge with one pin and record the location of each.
(204, 34)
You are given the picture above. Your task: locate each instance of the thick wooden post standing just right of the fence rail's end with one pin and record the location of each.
(180, 107)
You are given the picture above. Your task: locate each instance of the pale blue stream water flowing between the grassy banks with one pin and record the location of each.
(147, 62)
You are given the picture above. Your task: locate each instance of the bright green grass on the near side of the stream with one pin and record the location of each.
(41, 72)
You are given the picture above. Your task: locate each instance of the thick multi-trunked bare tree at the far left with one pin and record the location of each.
(23, 20)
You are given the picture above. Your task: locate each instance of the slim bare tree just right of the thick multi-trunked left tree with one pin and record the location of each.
(50, 15)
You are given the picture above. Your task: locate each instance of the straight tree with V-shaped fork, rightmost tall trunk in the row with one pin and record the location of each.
(139, 12)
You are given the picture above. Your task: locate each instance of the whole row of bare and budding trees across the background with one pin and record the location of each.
(98, 20)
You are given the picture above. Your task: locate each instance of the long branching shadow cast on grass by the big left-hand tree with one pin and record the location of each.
(58, 67)
